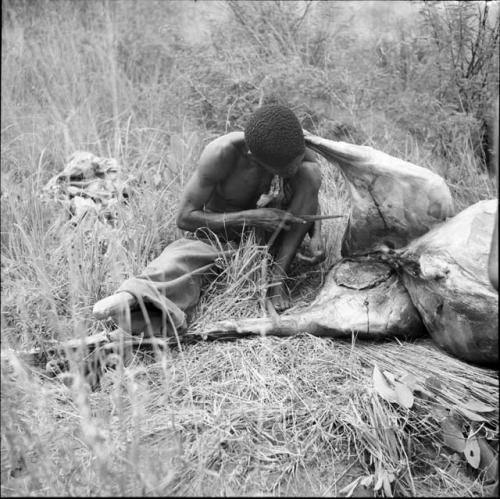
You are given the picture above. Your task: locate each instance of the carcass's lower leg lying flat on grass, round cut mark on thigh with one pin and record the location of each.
(360, 297)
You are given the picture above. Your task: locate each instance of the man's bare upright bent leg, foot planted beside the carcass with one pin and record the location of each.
(304, 201)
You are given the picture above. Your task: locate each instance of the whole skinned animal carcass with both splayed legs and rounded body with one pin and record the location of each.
(406, 268)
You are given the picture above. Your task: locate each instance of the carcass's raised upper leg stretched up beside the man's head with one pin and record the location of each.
(393, 201)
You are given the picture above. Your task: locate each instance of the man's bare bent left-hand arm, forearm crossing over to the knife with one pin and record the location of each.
(215, 165)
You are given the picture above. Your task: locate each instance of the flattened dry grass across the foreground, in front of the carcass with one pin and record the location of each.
(288, 416)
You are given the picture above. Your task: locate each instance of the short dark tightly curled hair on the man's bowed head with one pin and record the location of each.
(274, 135)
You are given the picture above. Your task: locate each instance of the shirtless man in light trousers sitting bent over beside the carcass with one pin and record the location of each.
(227, 194)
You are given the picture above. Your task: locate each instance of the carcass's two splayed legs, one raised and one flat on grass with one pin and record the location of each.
(393, 202)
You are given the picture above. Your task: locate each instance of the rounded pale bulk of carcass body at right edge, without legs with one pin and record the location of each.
(446, 274)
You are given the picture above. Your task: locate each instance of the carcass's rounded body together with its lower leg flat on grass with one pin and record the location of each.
(441, 277)
